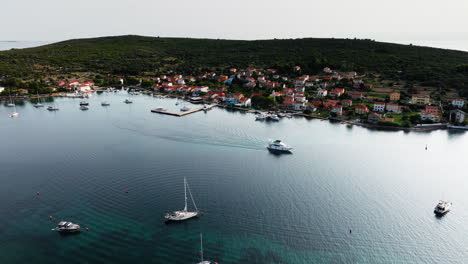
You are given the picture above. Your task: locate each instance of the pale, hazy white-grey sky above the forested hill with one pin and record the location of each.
(421, 22)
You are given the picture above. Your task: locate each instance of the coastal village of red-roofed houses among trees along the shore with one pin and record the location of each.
(330, 94)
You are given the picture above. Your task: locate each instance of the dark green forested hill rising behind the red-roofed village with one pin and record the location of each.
(133, 54)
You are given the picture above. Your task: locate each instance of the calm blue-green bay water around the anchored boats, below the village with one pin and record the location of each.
(259, 207)
